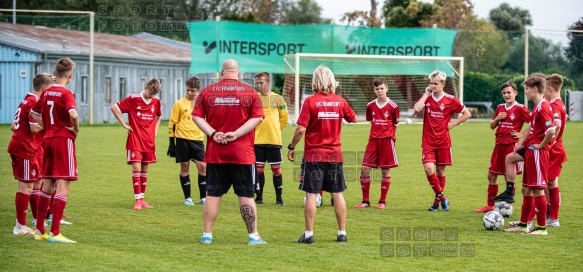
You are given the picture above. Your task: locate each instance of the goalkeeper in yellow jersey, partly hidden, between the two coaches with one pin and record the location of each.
(268, 138)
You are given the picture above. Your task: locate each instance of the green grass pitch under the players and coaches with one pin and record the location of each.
(112, 236)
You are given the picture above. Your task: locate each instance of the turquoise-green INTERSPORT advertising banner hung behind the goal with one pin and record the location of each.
(259, 47)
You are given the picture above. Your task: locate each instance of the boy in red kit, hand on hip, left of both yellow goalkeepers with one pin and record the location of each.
(144, 113)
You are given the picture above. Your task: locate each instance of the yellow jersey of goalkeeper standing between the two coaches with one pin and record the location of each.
(276, 117)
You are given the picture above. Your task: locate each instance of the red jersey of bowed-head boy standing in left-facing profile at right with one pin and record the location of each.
(542, 121)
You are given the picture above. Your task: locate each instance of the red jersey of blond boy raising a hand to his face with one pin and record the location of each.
(438, 113)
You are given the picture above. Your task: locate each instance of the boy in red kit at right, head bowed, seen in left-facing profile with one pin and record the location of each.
(536, 157)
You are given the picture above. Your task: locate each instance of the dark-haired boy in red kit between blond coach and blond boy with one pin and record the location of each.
(380, 151)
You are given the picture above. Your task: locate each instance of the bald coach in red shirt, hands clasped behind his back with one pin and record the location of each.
(228, 112)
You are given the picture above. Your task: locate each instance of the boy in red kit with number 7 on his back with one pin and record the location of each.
(56, 112)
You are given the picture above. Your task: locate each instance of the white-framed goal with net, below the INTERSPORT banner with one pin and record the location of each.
(407, 77)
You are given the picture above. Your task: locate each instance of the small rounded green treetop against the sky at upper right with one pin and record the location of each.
(507, 18)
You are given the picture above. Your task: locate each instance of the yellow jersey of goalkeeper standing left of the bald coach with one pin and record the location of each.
(182, 118)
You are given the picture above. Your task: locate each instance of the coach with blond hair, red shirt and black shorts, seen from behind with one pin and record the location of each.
(321, 121)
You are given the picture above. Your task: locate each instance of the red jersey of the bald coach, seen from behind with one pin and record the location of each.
(226, 106)
